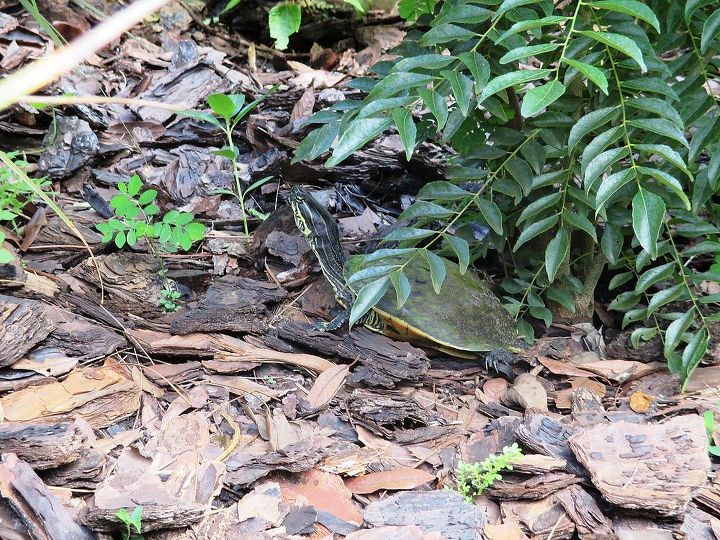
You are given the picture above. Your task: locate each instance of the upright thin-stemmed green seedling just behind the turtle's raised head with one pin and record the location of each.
(228, 112)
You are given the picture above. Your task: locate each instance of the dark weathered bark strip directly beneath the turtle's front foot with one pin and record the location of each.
(383, 362)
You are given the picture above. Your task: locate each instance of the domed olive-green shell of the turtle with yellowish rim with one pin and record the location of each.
(464, 316)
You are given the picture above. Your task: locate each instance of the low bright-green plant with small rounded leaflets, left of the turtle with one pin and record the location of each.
(137, 216)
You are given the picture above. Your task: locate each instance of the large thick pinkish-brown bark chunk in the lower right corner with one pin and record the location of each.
(655, 467)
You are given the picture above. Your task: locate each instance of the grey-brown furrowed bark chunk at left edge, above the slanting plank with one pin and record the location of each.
(46, 445)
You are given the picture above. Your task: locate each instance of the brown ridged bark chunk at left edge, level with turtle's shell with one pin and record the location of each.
(23, 324)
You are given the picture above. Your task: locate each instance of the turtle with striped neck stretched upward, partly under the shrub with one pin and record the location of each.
(465, 318)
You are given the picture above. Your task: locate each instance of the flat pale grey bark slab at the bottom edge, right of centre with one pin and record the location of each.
(443, 511)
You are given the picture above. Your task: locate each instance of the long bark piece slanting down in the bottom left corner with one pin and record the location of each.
(41, 512)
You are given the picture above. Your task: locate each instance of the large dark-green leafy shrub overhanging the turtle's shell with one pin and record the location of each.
(587, 140)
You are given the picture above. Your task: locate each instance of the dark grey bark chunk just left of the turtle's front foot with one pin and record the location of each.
(231, 303)
